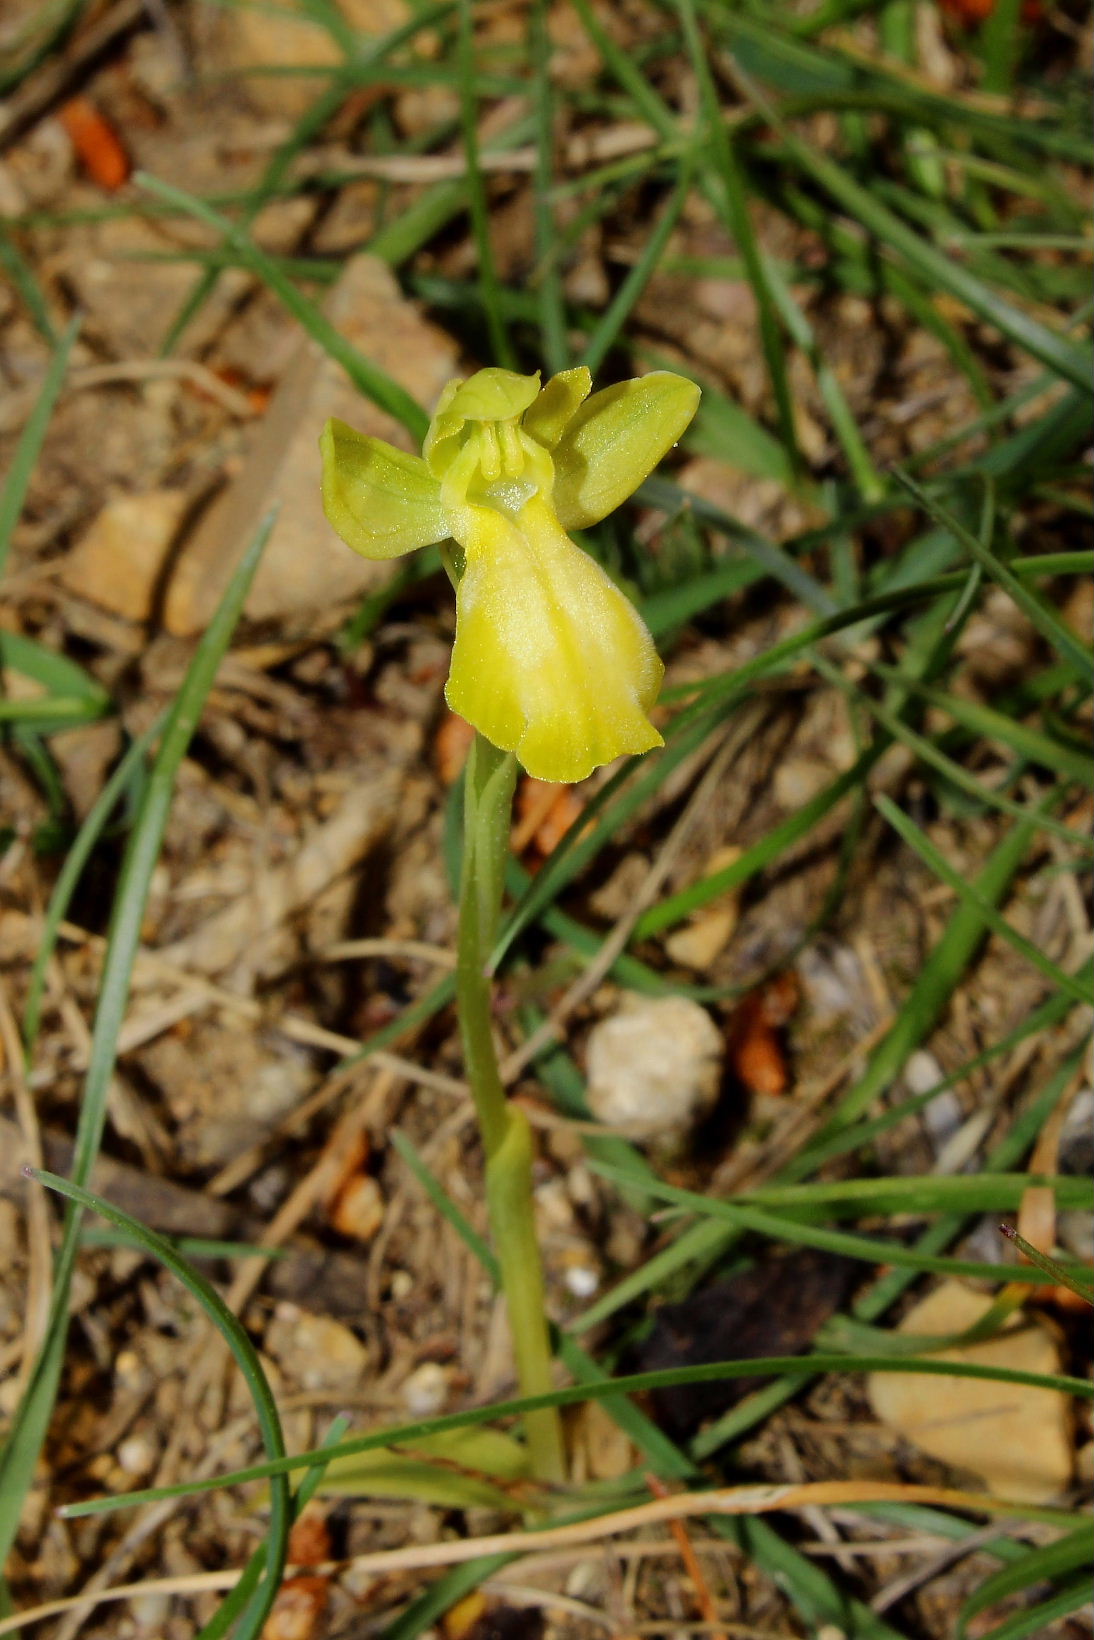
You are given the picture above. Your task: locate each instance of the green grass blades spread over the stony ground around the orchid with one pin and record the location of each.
(827, 175)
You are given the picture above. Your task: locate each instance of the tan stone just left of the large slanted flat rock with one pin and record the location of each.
(119, 565)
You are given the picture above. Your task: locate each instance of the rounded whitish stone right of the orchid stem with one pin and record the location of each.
(655, 1068)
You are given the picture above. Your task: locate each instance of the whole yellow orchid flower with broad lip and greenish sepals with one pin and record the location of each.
(552, 662)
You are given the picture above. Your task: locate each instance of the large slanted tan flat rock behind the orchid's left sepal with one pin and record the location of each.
(306, 568)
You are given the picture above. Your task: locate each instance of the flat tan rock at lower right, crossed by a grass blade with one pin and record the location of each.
(1016, 1439)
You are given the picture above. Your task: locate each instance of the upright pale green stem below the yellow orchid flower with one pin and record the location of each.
(506, 1132)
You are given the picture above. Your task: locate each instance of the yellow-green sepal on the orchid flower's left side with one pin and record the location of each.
(381, 501)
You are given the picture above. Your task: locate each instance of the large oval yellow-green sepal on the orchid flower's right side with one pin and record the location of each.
(616, 442)
